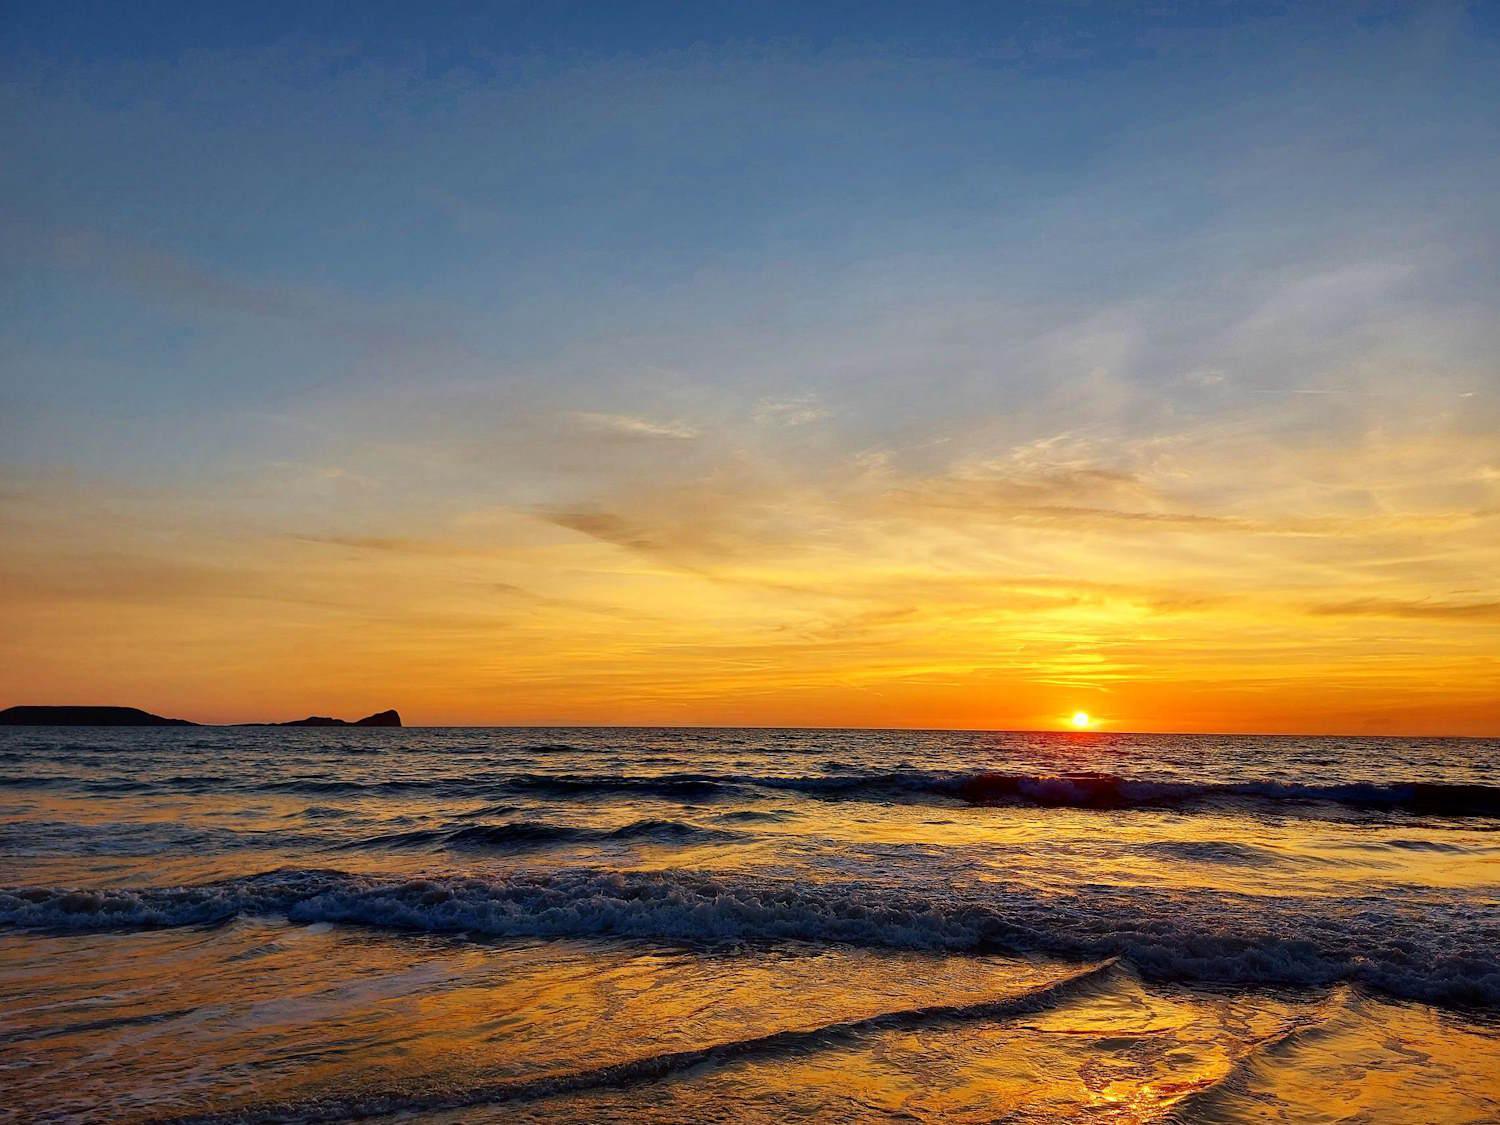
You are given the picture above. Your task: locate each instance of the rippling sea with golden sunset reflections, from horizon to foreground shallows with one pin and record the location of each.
(746, 926)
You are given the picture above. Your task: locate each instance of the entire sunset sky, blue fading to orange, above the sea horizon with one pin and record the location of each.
(829, 365)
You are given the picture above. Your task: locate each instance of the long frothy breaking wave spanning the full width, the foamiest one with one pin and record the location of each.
(1400, 943)
